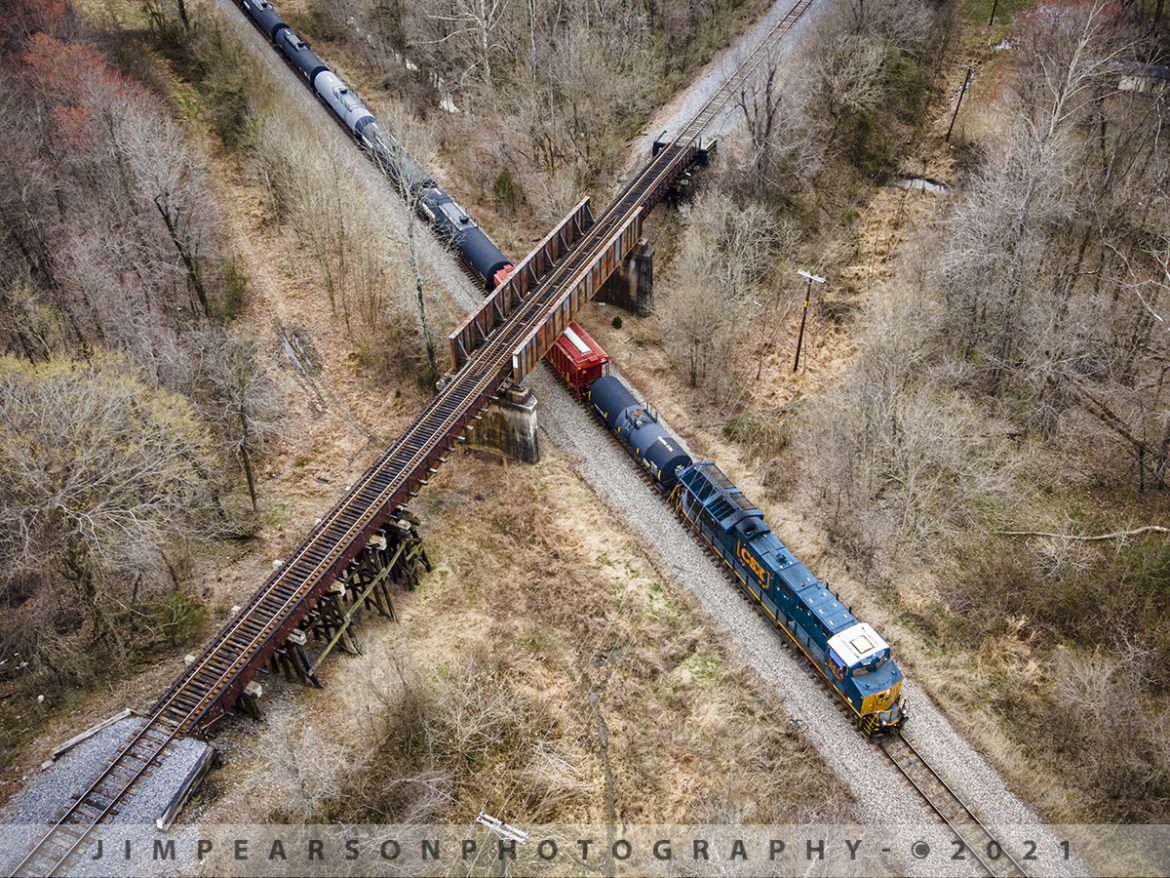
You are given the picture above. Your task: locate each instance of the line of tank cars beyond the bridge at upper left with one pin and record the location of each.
(435, 205)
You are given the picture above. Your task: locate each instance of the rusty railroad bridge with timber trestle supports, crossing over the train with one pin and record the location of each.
(369, 539)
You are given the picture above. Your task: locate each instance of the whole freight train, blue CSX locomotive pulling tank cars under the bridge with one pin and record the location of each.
(850, 655)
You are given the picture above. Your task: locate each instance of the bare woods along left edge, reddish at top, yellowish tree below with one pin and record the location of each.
(114, 297)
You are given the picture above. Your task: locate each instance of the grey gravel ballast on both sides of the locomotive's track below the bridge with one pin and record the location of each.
(883, 794)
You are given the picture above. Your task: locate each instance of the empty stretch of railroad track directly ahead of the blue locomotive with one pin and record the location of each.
(986, 852)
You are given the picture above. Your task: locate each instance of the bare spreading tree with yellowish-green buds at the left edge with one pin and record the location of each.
(104, 476)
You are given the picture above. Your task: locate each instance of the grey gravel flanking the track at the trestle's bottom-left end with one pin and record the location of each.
(29, 815)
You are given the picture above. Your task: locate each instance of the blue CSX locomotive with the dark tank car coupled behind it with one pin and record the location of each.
(849, 654)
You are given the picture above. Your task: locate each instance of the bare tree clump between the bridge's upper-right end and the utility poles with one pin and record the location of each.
(804, 157)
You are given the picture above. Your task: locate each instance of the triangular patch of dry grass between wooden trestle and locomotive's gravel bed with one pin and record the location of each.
(540, 619)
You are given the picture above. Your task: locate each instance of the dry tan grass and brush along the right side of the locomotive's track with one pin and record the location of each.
(1041, 656)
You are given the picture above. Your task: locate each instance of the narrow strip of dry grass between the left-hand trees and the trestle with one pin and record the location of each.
(326, 441)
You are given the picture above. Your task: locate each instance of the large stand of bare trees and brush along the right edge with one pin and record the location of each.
(1020, 381)
